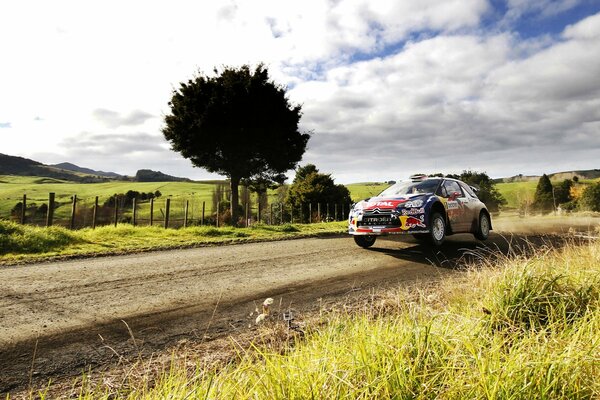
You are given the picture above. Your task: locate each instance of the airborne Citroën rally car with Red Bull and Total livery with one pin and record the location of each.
(428, 208)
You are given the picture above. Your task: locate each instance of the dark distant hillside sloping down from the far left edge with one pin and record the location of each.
(12, 165)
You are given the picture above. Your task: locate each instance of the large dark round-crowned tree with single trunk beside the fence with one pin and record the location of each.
(239, 124)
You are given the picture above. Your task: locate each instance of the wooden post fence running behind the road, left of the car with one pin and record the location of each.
(77, 213)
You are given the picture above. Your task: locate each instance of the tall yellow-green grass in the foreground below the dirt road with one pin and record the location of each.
(514, 328)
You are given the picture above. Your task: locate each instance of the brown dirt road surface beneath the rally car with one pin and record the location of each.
(58, 318)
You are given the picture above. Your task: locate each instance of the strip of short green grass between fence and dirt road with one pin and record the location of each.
(23, 243)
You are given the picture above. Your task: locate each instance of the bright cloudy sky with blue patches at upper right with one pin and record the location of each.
(388, 88)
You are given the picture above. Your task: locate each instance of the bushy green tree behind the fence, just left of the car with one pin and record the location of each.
(312, 187)
